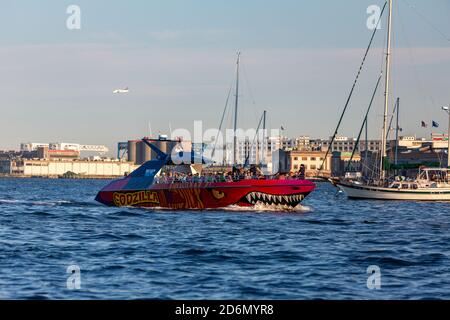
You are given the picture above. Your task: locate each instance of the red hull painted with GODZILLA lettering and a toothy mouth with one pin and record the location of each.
(207, 195)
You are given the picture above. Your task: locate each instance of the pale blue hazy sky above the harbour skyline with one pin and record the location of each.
(177, 57)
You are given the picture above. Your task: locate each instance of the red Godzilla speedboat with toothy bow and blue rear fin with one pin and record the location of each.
(143, 189)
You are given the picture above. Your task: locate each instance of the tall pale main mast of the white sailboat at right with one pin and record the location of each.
(386, 95)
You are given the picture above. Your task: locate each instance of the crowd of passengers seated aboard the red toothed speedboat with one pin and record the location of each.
(236, 175)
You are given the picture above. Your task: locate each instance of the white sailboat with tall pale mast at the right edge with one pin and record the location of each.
(430, 184)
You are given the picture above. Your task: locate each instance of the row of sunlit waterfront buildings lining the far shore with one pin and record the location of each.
(60, 159)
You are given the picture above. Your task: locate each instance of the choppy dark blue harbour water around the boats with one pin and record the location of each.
(322, 251)
